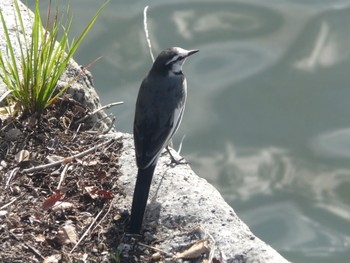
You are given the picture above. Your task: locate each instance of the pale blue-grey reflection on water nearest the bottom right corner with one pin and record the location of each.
(295, 233)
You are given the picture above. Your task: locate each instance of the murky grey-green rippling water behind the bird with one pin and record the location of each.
(268, 114)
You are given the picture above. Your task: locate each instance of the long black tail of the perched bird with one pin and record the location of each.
(143, 184)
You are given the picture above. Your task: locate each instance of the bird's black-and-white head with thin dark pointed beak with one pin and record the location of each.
(170, 60)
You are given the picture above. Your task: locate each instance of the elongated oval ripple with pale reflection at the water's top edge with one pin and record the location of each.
(214, 22)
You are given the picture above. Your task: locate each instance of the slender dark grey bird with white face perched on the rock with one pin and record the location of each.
(159, 109)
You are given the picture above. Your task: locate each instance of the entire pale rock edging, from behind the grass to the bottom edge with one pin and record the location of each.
(183, 207)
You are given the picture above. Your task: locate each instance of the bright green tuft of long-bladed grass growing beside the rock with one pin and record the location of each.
(44, 57)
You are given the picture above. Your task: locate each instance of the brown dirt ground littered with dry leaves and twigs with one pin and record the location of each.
(58, 186)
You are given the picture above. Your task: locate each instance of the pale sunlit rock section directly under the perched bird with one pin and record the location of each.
(181, 203)
